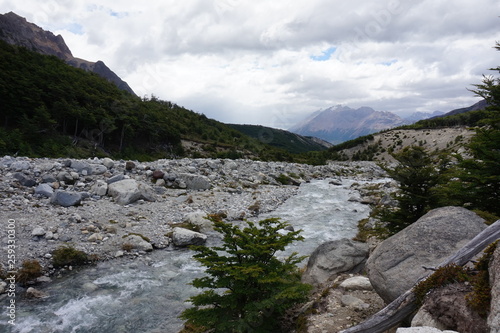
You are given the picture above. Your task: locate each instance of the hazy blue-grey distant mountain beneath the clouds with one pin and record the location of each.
(341, 123)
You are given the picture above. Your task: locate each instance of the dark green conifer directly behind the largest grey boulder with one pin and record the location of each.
(416, 174)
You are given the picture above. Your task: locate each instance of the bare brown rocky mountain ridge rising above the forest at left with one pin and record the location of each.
(16, 30)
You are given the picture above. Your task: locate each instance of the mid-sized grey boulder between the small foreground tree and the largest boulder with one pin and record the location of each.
(338, 256)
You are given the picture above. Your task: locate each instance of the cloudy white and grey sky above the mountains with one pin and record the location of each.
(275, 62)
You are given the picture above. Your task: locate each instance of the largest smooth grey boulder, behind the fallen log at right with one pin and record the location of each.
(397, 263)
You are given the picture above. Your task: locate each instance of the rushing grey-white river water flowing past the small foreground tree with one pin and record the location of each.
(137, 296)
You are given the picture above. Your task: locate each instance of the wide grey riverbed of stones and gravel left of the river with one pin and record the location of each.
(123, 210)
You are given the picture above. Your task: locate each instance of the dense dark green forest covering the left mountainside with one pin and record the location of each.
(51, 109)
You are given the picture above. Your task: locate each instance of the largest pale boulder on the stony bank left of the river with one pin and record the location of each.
(128, 191)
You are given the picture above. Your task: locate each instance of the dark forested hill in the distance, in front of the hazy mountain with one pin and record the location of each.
(286, 140)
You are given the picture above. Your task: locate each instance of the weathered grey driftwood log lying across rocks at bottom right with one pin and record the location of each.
(405, 305)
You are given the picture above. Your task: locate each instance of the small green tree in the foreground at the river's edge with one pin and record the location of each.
(247, 288)
